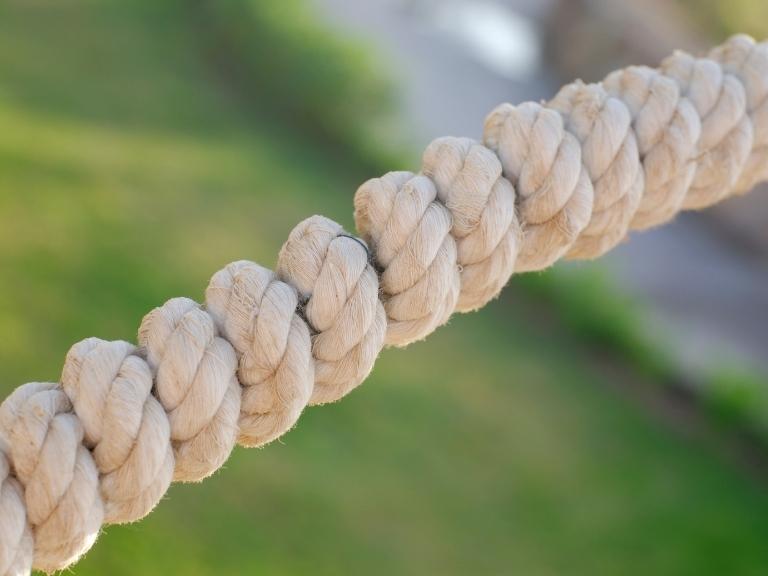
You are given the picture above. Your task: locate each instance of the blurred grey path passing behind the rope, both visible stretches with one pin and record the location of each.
(454, 60)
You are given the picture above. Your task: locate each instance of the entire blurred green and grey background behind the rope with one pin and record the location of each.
(602, 418)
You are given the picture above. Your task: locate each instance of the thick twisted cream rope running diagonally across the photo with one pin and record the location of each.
(568, 178)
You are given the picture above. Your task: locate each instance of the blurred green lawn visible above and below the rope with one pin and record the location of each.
(129, 174)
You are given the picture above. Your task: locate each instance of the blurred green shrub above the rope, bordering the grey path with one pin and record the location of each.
(285, 59)
